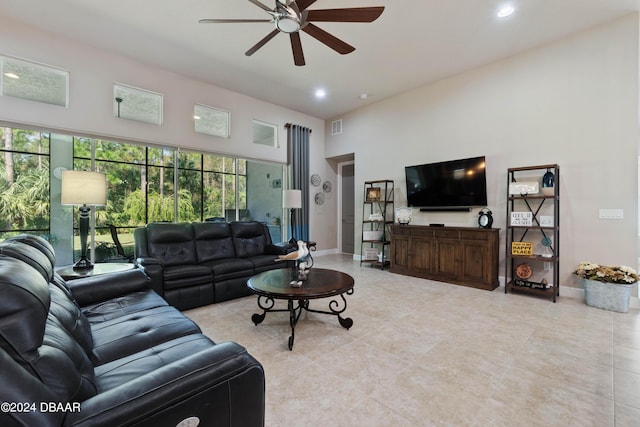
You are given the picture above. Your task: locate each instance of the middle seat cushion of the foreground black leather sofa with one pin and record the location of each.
(134, 332)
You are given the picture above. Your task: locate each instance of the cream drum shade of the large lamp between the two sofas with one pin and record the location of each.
(83, 188)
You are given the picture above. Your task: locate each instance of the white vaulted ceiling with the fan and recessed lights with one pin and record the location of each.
(414, 42)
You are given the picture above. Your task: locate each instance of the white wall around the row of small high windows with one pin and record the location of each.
(90, 110)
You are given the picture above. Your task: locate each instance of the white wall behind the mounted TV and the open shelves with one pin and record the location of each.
(573, 102)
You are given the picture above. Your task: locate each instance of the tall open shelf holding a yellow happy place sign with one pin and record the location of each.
(532, 261)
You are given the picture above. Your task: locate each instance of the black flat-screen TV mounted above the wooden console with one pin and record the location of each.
(455, 185)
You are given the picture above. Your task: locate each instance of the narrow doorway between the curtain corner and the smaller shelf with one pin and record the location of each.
(346, 209)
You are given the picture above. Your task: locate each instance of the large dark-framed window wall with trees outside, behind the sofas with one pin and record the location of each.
(145, 184)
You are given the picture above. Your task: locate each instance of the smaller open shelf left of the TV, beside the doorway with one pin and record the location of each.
(377, 213)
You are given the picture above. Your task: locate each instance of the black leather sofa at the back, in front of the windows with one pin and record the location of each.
(195, 264)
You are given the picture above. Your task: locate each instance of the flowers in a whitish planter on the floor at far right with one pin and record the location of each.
(607, 287)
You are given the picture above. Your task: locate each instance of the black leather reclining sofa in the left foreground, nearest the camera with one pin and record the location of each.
(109, 351)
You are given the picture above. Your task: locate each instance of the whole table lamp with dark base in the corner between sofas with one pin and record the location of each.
(83, 188)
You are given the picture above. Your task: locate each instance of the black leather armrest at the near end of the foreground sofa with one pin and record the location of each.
(221, 385)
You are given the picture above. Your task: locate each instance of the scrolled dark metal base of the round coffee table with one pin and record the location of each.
(336, 308)
